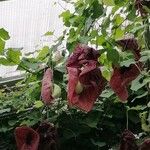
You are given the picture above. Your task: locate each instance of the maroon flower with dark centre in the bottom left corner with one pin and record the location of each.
(26, 138)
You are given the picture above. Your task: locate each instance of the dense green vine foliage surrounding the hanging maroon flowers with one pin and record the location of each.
(98, 24)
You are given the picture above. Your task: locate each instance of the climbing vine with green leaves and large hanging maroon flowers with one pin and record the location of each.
(91, 84)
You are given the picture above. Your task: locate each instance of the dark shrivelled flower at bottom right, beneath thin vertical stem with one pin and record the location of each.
(128, 141)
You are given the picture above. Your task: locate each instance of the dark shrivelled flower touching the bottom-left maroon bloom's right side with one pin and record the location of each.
(48, 137)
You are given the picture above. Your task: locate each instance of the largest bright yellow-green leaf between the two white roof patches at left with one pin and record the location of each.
(13, 56)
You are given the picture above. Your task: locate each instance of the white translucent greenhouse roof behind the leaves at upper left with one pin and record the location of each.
(27, 21)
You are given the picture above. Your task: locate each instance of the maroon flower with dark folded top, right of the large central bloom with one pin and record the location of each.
(122, 76)
